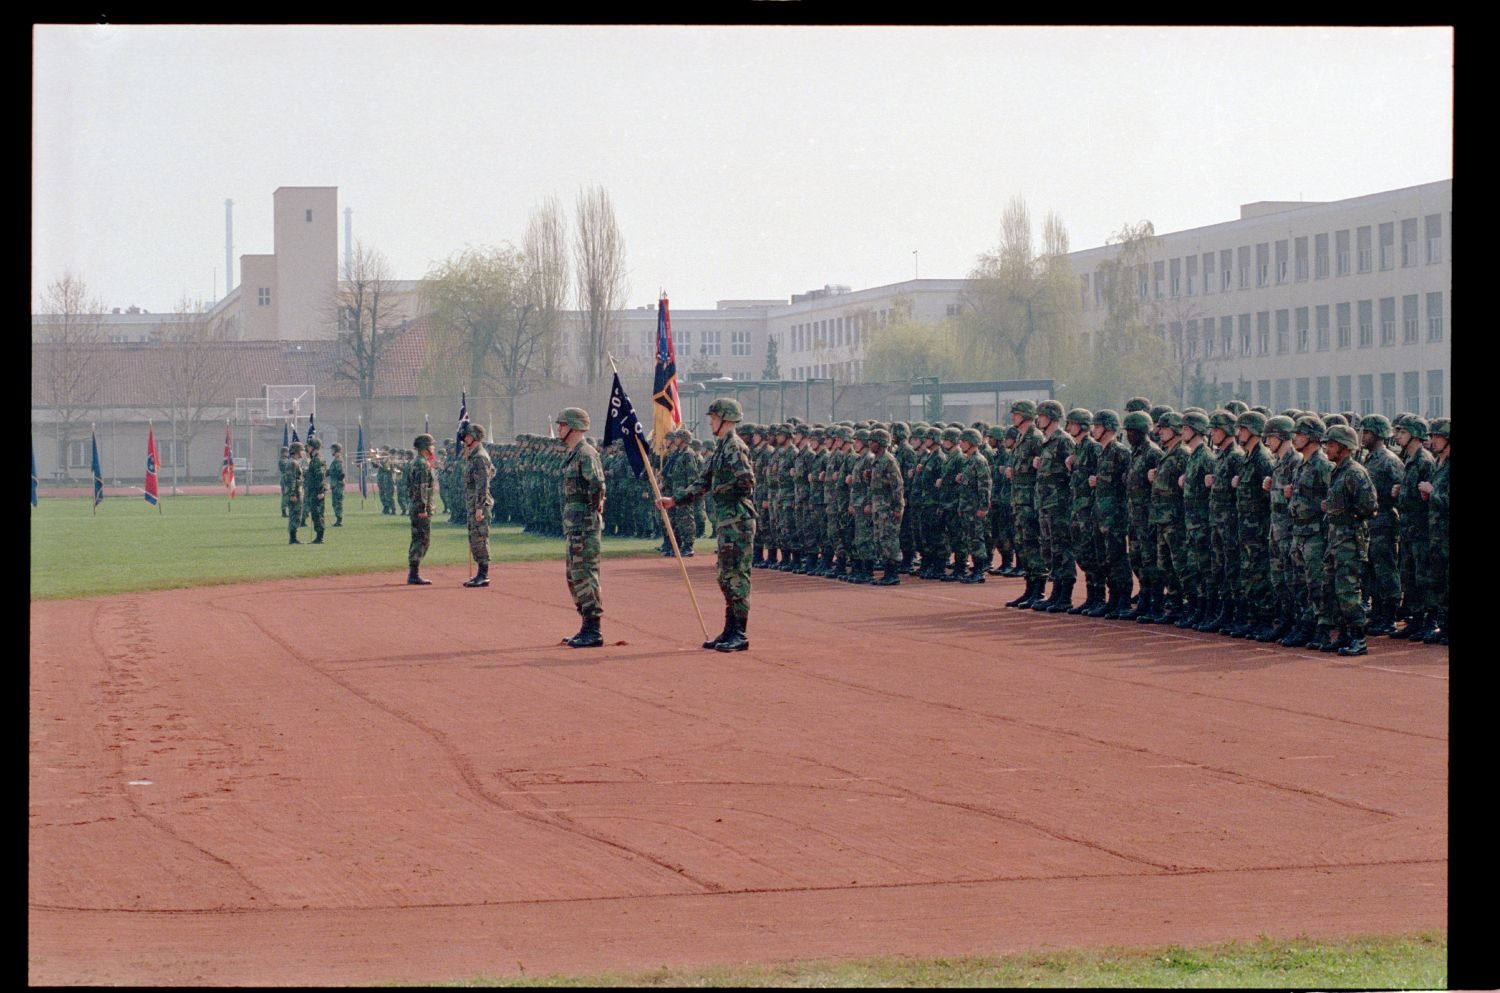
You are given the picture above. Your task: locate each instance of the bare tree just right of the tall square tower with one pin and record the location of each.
(370, 316)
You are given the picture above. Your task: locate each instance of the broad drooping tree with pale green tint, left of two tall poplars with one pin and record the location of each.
(485, 323)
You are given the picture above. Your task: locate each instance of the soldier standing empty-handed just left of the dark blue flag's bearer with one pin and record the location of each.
(583, 500)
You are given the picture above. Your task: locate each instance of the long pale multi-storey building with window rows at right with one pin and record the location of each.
(1343, 305)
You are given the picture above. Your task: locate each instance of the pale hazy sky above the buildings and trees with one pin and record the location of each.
(743, 163)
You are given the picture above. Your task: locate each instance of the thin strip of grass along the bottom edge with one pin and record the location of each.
(1417, 962)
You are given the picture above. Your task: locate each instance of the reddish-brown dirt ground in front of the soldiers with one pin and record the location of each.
(350, 781)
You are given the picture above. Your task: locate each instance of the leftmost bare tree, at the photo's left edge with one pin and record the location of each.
(67, 367)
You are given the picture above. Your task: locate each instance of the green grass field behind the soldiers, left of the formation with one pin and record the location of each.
(199, 542)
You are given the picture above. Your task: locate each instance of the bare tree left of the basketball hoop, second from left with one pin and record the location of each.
(196, 377)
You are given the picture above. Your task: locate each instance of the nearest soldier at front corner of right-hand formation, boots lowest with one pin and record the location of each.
(1351, 505)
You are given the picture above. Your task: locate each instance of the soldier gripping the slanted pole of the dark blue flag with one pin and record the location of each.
(731, 478)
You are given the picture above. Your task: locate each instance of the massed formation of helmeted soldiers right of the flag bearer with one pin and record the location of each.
(1304, 530)
